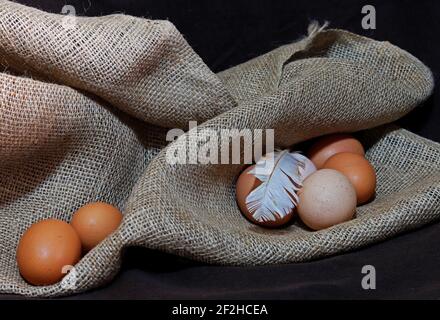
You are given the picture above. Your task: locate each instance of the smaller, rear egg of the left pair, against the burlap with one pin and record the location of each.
(94, 222)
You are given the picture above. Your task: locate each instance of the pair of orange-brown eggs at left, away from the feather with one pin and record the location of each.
(49, 246)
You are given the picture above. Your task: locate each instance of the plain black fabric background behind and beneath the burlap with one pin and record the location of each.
(225, 33)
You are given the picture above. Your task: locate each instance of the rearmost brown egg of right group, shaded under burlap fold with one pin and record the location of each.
(329, 145)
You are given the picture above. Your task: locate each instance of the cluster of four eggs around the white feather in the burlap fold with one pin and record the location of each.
(343, 179)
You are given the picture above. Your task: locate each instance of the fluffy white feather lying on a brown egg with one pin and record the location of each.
(281, 174)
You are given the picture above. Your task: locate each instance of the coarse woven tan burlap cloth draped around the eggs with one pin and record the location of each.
(84, 112)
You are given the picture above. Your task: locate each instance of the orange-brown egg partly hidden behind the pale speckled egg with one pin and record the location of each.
(358, 170)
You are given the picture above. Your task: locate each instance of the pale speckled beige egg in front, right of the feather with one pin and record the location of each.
(326, 198)
